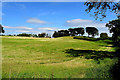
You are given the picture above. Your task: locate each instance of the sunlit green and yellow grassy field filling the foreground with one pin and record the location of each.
(50, 58)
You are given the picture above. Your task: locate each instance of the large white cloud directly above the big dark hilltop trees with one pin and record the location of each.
(83, 23)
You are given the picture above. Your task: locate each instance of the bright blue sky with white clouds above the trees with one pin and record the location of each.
(38, 17)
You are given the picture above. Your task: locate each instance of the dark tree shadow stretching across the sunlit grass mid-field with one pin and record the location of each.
(90, 54)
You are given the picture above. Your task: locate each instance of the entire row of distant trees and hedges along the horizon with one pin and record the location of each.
(70, 32)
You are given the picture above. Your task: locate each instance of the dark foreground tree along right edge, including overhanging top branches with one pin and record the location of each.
(114, 27)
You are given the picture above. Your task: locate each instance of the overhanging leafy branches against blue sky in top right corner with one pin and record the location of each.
(100, 8)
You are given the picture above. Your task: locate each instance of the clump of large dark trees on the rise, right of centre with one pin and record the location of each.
(77, 32)
